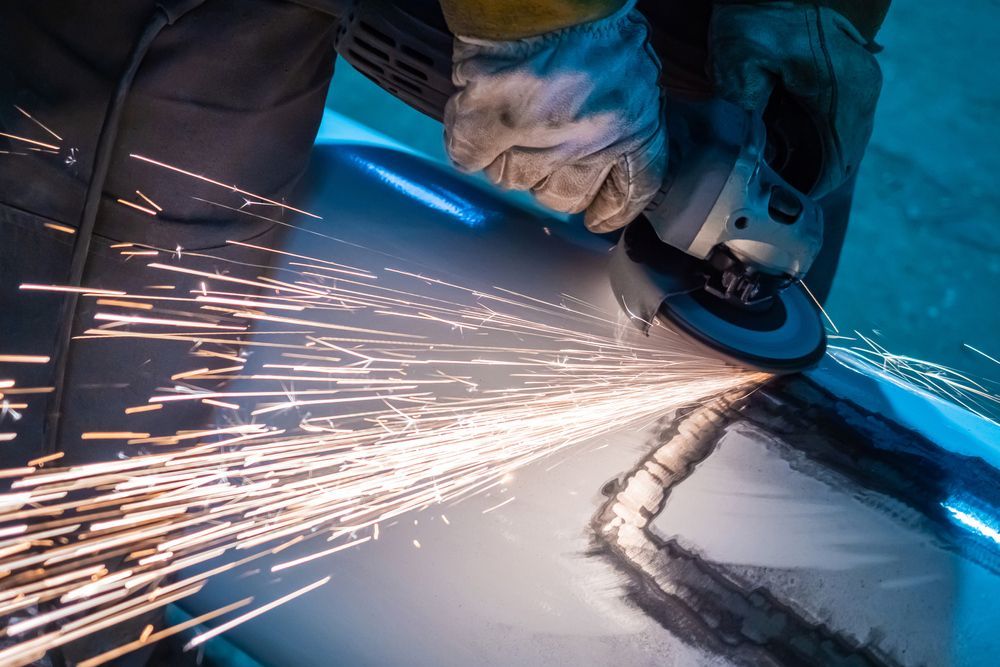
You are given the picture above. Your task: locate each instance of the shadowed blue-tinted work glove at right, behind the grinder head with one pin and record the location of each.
(818, 56)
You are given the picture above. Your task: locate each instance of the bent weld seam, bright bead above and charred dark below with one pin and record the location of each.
(706, 604)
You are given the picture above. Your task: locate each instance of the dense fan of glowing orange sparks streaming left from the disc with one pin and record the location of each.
(391, 429)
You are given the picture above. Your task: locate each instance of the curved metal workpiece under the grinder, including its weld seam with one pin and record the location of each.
(673, 581)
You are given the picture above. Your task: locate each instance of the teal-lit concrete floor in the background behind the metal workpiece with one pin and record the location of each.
(922, 258)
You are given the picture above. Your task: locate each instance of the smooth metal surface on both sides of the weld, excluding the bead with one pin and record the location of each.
(885, 570)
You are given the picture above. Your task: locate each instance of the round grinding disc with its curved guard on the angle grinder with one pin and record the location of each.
(652, 280)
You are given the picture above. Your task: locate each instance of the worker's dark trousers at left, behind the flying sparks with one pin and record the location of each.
(232, 89)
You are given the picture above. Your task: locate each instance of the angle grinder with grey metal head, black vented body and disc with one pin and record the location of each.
(720, 252)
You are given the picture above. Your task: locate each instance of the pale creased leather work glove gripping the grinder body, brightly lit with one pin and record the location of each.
(573, 115)
